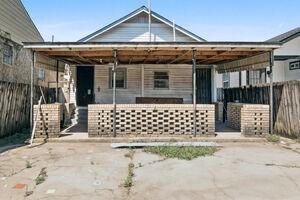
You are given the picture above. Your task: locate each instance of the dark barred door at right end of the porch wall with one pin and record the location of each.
(203, 83)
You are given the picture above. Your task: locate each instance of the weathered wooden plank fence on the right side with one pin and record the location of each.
(286, 103)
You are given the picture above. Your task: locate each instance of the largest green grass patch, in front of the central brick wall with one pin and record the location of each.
(182, 153)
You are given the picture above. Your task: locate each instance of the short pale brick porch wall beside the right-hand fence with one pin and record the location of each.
(251, 119)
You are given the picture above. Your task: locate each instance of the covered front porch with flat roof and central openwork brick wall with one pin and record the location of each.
(159, 77)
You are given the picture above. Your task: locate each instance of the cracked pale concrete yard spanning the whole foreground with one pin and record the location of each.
(95, 171)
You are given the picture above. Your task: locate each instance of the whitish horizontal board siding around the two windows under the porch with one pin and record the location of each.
(180, 83)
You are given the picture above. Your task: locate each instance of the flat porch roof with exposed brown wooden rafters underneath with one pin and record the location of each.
(206, 53)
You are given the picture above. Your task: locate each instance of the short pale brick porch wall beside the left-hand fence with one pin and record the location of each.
(48, 121)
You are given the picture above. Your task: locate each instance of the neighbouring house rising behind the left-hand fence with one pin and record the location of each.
(17, 27)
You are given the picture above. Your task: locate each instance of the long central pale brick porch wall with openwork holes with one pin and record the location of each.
(150, 119)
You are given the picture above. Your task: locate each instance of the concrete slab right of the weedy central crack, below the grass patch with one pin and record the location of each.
(237, 171)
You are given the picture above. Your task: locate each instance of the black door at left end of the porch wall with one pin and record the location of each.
(85, 85)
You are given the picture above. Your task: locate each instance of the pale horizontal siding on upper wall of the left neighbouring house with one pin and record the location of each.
(15, 21)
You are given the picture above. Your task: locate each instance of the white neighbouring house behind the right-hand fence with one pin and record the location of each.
(286, 65)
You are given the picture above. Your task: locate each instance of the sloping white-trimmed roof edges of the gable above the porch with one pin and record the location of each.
(135, 13)
